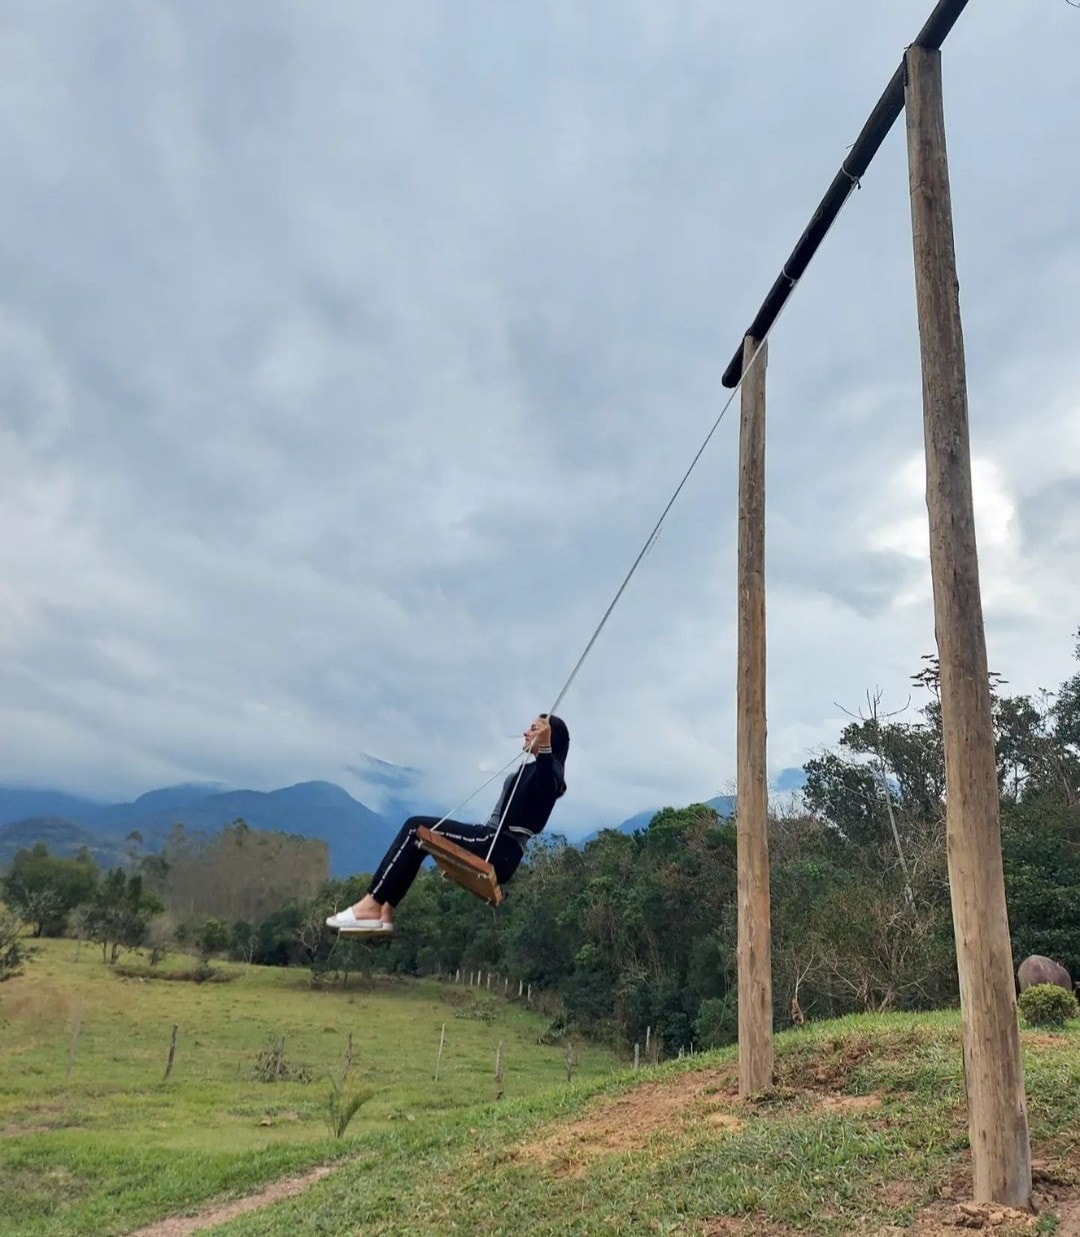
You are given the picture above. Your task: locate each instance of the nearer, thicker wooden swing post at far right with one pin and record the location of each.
(993, 1067)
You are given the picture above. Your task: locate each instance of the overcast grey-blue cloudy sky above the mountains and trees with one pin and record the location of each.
(349, 352)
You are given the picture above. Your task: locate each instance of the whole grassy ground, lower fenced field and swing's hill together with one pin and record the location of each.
(865, 1131)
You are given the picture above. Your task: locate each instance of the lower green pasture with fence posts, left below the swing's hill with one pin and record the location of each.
(109, 1145)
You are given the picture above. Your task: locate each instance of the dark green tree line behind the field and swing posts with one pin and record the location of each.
(635, 932)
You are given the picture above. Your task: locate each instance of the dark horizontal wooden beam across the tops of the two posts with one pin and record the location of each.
(859, 159)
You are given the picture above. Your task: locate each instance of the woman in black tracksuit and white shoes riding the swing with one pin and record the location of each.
(540, 785)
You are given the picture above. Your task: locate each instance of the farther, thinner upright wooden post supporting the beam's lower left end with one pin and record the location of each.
(755, 931)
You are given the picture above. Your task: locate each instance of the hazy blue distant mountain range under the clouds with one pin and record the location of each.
(356, 836)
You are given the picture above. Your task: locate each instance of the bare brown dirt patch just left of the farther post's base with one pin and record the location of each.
(632, 1121)
